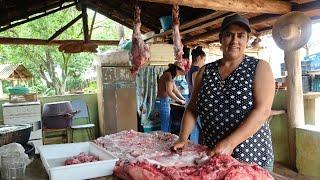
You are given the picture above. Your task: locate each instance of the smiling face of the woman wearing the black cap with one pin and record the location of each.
(234, 41)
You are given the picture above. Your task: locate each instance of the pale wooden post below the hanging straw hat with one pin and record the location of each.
(295, 107)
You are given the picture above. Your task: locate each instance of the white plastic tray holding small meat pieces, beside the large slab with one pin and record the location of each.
(53, 157)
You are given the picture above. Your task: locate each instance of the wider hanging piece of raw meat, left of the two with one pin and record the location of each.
(139, 51)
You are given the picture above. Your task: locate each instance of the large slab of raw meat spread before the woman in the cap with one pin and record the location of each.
(148, 156)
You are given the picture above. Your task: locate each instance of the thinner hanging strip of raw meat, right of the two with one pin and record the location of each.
(177, 45)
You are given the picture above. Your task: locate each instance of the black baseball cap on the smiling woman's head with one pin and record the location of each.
(235, 19)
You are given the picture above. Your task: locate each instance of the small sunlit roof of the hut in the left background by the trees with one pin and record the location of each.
(14, 71)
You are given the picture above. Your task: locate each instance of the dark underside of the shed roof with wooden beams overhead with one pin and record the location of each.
(198, 25)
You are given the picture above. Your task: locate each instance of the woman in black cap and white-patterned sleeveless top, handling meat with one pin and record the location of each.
(233, 97)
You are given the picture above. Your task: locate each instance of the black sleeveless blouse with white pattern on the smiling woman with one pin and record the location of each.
(224, 104)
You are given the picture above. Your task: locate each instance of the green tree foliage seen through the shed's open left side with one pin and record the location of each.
(53, 69)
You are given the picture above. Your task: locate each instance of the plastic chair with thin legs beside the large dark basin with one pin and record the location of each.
(83, 113)
